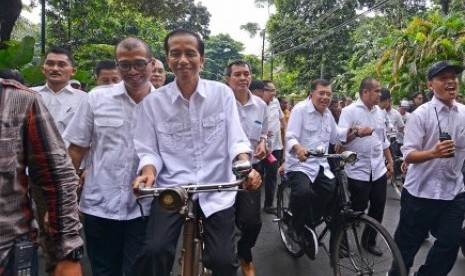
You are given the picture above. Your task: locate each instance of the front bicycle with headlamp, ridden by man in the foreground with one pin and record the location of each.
(180, 199)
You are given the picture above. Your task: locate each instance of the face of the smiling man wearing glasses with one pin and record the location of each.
(134, 66)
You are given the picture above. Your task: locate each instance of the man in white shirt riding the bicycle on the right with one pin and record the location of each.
(311, 125)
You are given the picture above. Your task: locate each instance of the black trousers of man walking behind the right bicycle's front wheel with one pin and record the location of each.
(374, 193)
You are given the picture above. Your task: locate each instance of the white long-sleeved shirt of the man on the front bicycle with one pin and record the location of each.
(192, 141)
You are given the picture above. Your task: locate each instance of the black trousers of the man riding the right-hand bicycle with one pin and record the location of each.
(309, 200)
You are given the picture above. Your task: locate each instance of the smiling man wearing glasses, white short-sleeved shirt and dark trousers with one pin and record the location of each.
(113, 223)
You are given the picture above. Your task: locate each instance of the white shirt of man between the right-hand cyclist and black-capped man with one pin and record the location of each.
(369, 149)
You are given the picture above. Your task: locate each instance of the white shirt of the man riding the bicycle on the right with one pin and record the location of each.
(309, 128)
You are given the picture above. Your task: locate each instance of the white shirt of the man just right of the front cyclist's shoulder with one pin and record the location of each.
(254, 120)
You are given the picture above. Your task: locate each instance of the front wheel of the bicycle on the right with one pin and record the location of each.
(348, 257)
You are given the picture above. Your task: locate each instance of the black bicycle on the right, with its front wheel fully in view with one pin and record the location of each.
(345, 227)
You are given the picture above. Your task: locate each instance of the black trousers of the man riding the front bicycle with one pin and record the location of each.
(163, 232)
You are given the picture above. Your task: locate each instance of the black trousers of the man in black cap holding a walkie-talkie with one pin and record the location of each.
(443, 218)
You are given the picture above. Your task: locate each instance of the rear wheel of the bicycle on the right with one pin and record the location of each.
(284, 219)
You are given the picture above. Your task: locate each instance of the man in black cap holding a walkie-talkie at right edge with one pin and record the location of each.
(433, 198)
